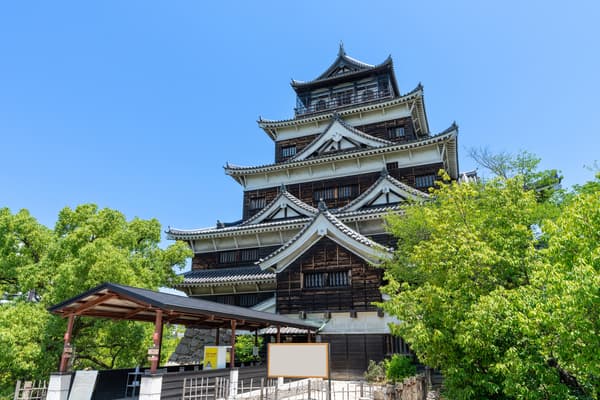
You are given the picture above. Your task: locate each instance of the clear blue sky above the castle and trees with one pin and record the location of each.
(137, 105)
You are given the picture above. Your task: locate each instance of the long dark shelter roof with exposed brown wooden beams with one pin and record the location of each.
(111, 300)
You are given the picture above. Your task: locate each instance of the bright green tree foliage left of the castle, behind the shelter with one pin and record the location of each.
(87, 247)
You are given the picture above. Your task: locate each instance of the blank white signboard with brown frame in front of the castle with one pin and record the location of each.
(298, 360)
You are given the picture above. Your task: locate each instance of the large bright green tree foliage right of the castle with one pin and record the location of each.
(503, 312)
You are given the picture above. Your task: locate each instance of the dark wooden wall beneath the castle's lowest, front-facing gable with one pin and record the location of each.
(325, 256)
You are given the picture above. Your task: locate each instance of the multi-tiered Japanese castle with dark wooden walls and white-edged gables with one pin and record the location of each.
(312, 232)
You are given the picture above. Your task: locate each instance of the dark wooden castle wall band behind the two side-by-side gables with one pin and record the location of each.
(304, 191)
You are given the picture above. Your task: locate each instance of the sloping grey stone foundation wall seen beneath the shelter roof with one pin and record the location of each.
(190, 349)
